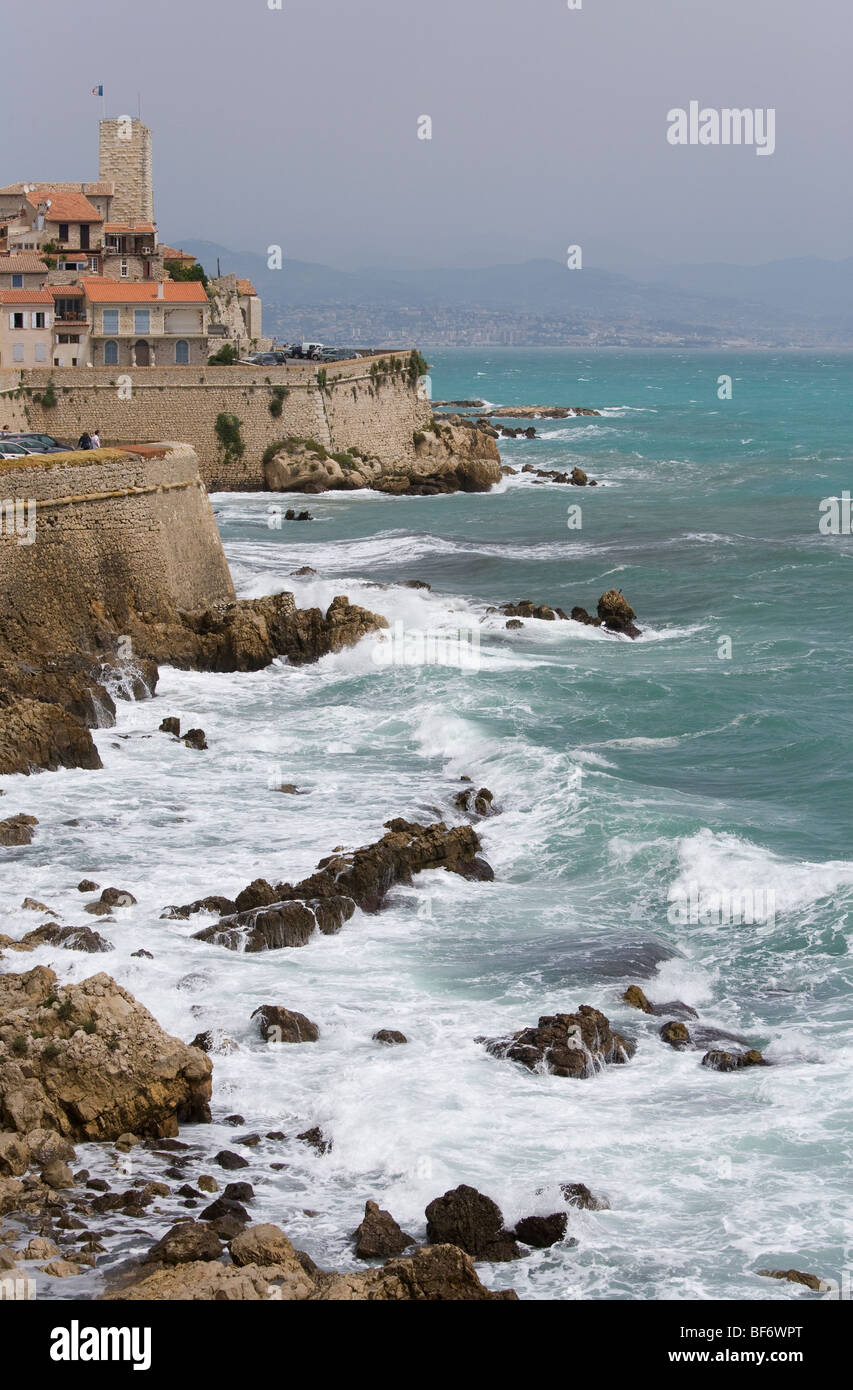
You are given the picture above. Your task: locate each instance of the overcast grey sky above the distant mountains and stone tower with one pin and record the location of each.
(299, 127)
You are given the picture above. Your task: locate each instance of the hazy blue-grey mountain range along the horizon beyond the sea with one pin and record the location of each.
(805, 302)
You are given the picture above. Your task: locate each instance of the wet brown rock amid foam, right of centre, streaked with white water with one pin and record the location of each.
(568, 1045)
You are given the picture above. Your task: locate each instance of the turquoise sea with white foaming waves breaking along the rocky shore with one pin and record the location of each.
(709, 758)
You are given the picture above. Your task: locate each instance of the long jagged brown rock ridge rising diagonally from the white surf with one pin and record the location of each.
(345, 882)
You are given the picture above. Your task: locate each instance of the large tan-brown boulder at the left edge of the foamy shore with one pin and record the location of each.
(102, 1065)
